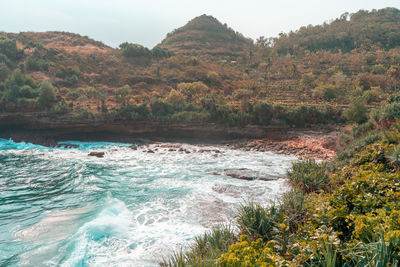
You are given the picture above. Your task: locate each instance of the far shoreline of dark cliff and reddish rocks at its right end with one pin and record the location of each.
(317, 142)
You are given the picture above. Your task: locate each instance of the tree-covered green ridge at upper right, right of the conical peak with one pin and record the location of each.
(362, 29)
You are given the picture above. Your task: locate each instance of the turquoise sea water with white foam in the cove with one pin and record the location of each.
(60, 207)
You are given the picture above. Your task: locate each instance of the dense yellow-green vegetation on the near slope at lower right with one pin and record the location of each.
(340, 213)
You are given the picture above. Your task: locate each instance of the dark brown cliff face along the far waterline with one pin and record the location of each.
(46, 130)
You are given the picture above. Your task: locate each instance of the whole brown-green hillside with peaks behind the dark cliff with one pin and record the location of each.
(206, 71)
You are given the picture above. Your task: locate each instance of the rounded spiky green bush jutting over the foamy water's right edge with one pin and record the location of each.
(309, 175)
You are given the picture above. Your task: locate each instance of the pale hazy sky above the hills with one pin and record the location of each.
(147, 22)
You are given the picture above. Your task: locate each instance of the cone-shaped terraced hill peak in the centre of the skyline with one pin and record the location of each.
(206, 35)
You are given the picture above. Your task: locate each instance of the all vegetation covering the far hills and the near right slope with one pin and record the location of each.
(342, 213)
